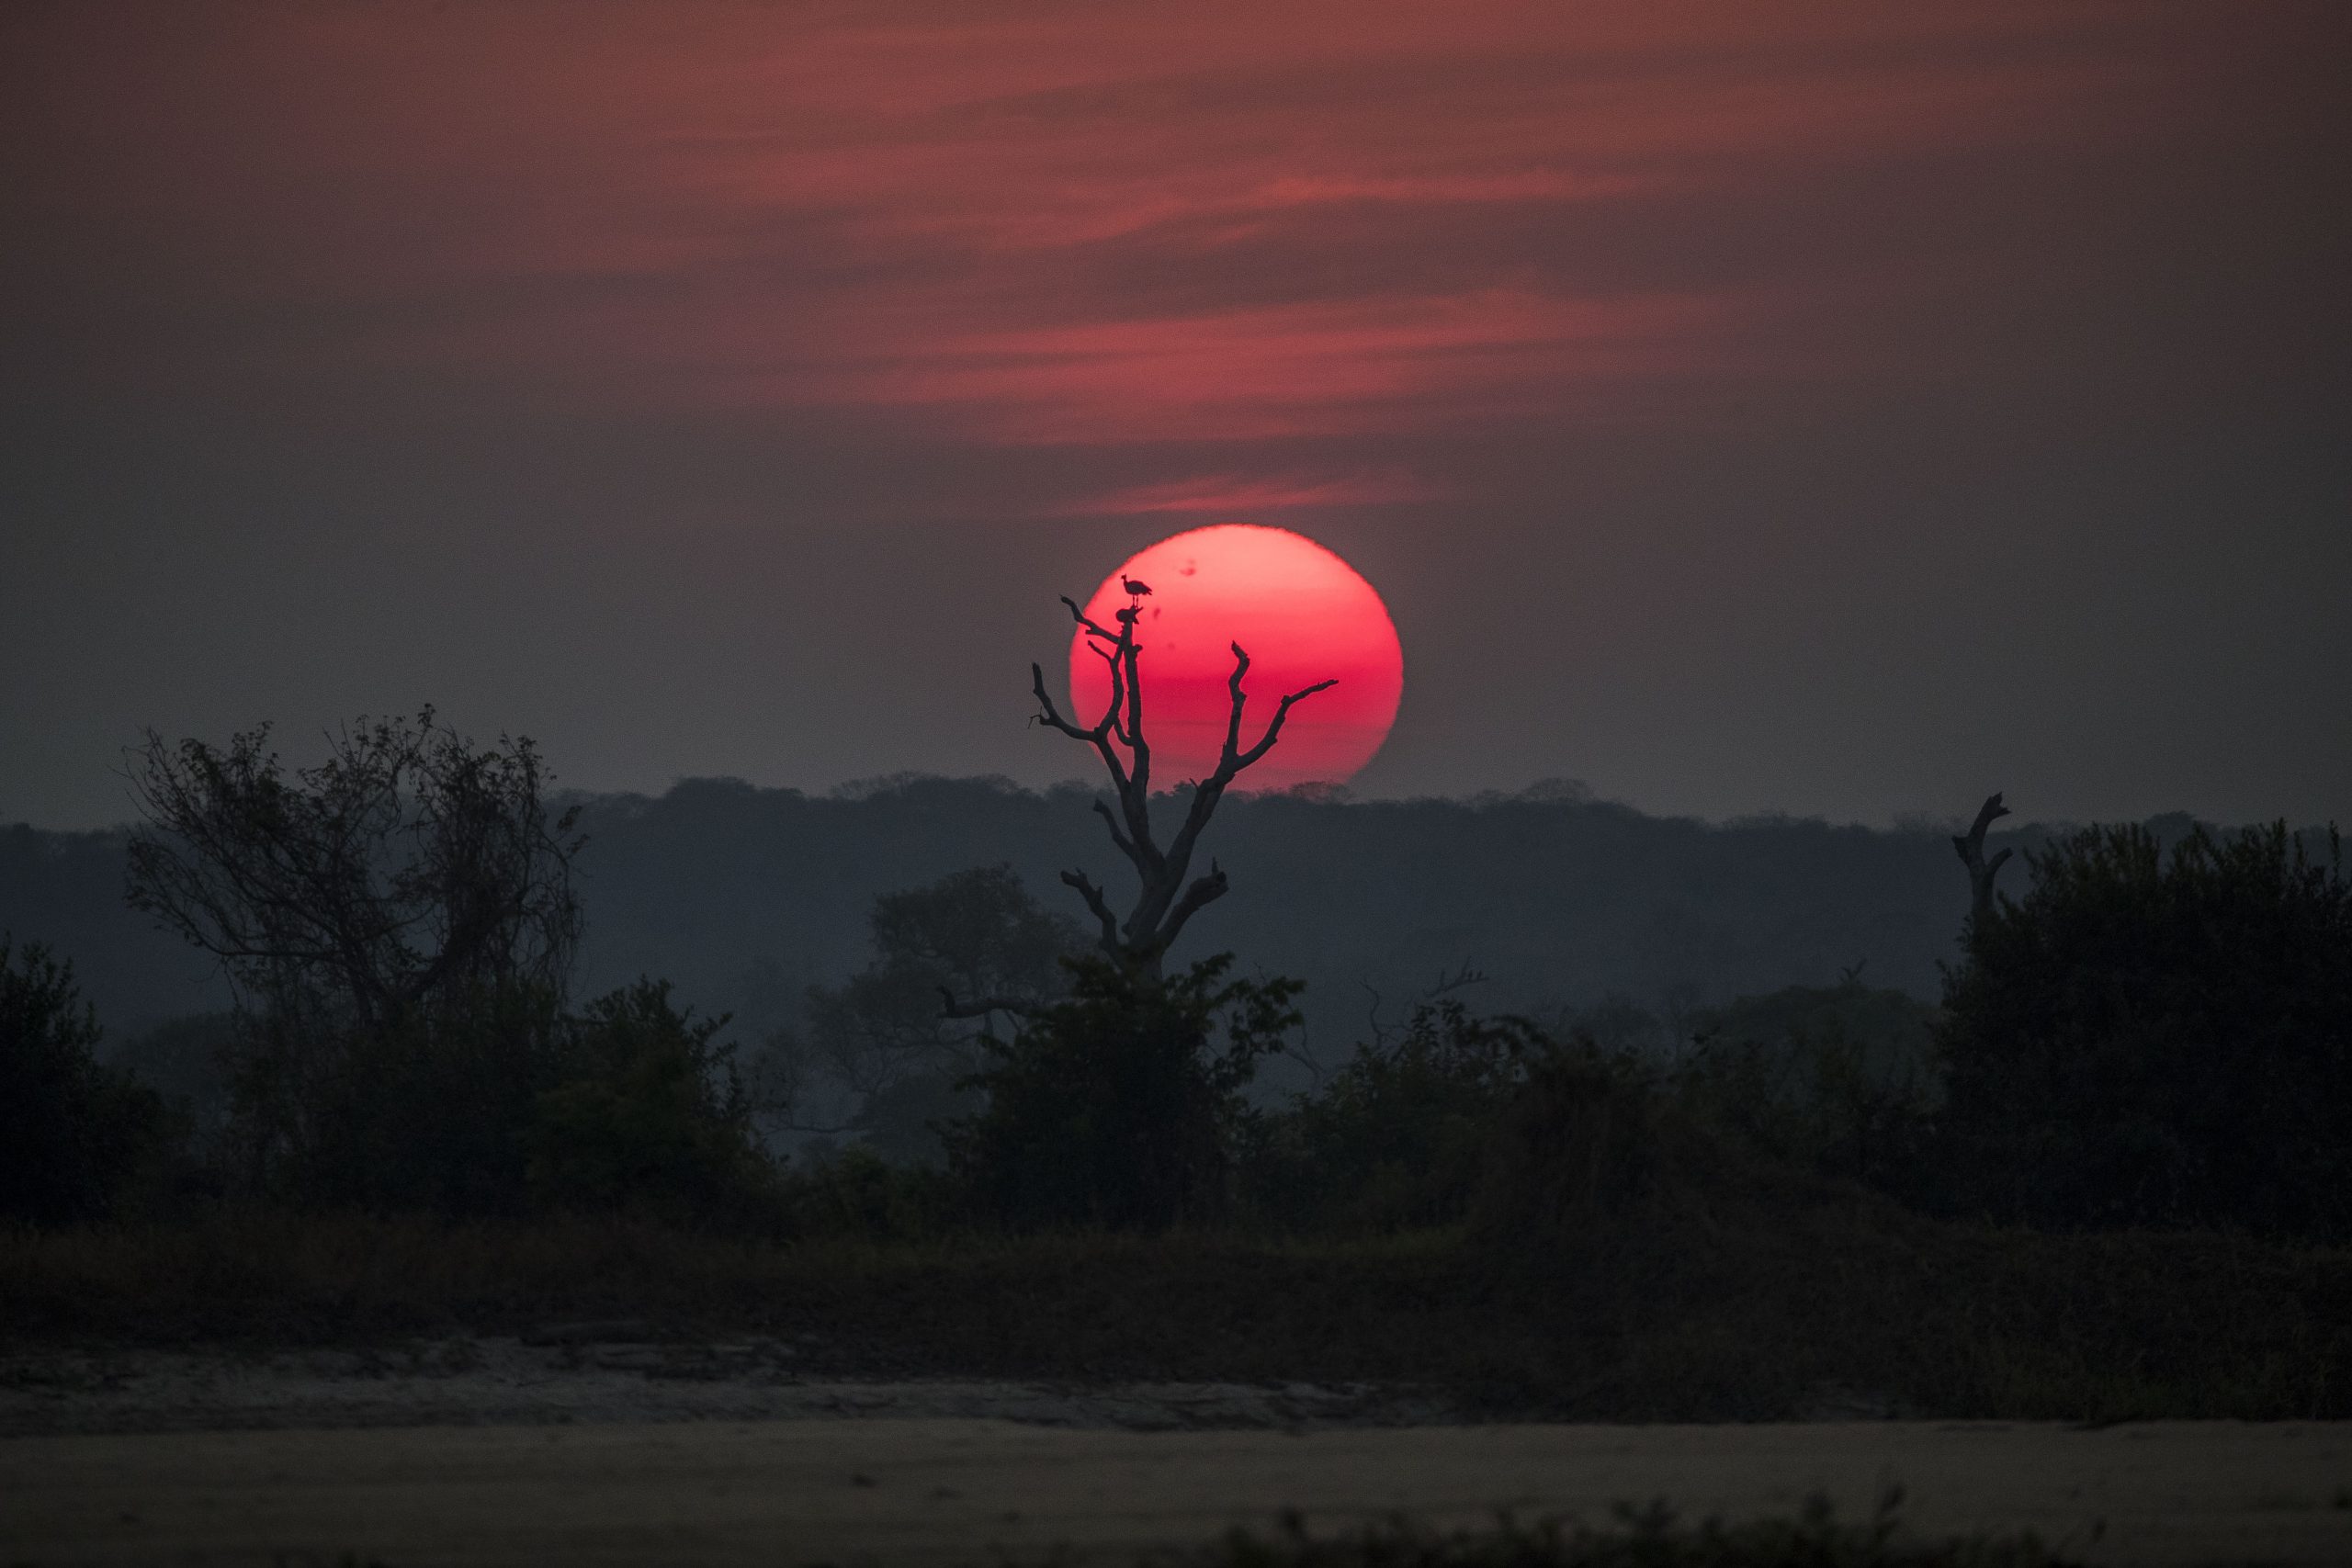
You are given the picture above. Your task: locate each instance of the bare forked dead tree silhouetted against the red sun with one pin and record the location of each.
(1165, 902)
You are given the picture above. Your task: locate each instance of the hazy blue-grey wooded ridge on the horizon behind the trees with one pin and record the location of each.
(744, 897)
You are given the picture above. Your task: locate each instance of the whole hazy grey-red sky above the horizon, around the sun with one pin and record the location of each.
(1822, 408)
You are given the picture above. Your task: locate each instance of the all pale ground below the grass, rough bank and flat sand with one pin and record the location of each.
(592, 1449)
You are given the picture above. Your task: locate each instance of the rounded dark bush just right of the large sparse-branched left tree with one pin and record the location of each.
(650, 1115)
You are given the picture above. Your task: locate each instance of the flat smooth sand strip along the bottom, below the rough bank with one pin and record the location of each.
(940, 1492)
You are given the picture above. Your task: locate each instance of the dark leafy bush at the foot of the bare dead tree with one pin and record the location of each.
(1118, 1104)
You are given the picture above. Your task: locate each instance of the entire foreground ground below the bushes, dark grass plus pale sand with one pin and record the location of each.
(293, 1391)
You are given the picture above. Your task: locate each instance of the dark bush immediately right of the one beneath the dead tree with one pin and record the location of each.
(1401, 1137)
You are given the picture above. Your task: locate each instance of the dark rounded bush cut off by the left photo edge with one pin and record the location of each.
(72, 1132)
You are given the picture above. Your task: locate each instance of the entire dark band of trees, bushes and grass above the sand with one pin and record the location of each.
(2106, 1179)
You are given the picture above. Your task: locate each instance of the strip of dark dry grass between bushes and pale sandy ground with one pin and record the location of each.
(1720, 1315)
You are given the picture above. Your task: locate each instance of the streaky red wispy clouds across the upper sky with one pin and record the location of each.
(1048, 227)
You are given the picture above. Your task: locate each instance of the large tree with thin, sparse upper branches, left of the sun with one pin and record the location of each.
(399, 925)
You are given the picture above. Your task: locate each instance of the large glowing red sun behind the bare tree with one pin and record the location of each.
(1304, 617)
